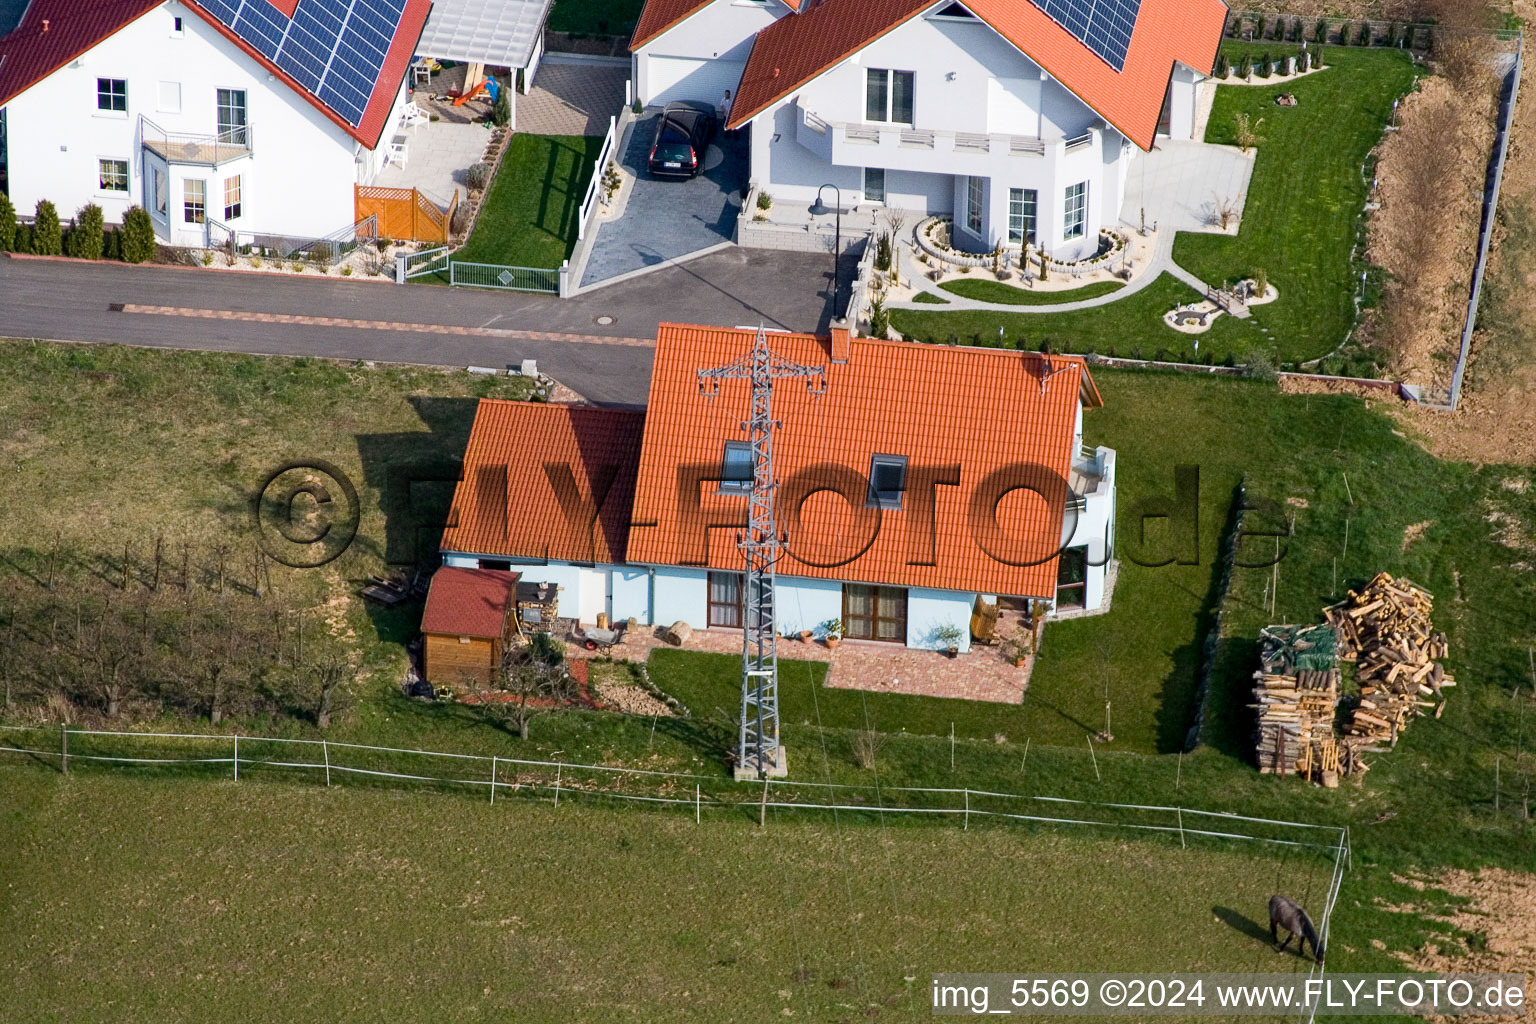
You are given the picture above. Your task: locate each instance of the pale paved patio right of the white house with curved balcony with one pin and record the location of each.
(1180, 185)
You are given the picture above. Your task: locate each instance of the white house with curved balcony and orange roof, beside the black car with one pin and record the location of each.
(1018, 119)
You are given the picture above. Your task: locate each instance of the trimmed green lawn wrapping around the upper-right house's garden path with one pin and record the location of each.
(1303, 216)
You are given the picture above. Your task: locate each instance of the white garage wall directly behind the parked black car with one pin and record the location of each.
(703, 56)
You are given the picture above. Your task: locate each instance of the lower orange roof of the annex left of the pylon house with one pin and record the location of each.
(532, 474)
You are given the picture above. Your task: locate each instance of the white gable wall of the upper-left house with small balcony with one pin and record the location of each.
(297, 180)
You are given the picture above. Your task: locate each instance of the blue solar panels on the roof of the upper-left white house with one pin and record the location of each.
(333, 48)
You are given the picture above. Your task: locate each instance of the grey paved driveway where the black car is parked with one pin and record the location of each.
(664, 219)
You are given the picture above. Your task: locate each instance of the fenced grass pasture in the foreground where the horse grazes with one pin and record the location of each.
(142, 899)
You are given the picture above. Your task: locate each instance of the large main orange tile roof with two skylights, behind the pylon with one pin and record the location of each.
(981, 411)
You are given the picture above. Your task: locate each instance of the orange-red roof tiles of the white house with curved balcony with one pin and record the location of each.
(795, 51)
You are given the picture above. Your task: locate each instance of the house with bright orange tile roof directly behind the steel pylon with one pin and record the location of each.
(913, 481)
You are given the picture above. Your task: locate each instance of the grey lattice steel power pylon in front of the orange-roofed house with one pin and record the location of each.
(758, 751)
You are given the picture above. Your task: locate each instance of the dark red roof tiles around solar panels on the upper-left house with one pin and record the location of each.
(30, 53)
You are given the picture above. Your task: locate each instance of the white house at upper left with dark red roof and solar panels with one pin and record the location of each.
(250, 116)
